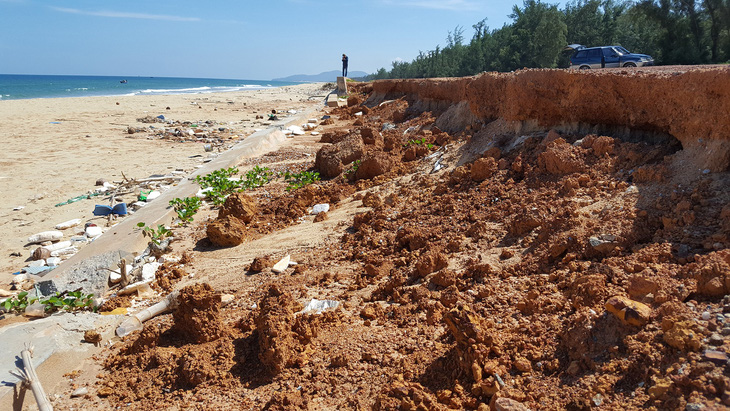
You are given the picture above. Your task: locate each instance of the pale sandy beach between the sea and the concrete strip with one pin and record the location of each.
(56, 149)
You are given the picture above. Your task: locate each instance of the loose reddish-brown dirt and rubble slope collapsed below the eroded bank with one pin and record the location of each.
(482, 268)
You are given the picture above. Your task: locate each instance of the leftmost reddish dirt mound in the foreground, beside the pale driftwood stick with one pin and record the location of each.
(193, 350)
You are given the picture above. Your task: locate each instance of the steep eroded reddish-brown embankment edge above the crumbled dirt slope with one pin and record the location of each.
(689, 104)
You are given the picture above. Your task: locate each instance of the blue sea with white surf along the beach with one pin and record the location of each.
(16, 86)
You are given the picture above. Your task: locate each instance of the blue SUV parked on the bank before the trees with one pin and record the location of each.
(606, 57)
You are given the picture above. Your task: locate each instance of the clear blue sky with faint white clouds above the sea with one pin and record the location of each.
(245, 39)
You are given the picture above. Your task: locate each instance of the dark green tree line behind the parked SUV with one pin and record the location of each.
(671, 31)
